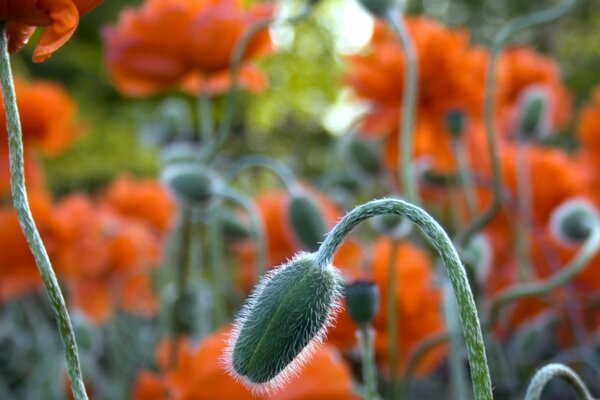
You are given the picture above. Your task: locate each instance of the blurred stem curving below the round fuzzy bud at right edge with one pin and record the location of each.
(587, 251)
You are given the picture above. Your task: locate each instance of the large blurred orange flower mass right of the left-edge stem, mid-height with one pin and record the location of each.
(104, 258)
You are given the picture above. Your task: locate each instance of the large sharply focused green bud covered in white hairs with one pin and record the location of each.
(285, 317)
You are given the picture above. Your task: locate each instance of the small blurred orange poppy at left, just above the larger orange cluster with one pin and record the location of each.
(146, 200)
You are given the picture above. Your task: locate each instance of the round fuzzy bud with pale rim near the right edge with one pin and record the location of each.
(572, 221)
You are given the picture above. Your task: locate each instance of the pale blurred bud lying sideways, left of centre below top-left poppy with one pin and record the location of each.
(190, 182)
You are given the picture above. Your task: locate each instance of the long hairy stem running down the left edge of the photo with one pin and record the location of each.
(21, 205)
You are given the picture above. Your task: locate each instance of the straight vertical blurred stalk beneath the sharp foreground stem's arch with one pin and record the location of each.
(391, 320)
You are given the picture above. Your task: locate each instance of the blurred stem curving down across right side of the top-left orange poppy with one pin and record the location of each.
(234, 68)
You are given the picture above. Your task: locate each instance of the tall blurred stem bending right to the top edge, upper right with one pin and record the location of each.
(490, 82)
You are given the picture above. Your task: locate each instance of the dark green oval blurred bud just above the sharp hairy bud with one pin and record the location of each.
(306, 221)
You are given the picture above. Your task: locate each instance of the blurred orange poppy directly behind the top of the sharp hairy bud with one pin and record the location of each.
(281, 243)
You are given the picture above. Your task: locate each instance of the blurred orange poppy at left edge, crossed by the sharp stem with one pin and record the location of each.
(50, 127)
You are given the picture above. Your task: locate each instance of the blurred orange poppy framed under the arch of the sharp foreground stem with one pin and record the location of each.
(418, 305)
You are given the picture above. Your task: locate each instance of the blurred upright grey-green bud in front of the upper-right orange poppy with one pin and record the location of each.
(533, 115)
